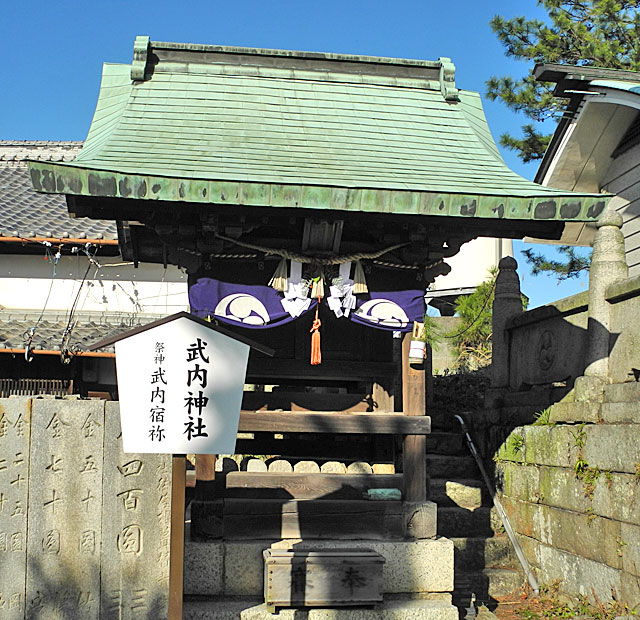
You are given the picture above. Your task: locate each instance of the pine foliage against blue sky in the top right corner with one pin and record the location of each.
(601, 33)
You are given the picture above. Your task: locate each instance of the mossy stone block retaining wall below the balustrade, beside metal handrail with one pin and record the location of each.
(570, 484)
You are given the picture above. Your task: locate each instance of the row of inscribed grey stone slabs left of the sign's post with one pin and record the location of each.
(84, 528)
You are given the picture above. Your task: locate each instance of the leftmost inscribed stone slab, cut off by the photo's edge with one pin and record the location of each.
(15, 431)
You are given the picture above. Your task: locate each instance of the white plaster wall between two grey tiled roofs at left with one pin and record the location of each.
(26, 281)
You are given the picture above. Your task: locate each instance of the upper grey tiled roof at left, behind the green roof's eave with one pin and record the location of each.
(26, 213)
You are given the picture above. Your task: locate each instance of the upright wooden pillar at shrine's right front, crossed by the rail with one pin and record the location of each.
(414, 446)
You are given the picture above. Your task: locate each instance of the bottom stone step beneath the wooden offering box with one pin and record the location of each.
(252, 609)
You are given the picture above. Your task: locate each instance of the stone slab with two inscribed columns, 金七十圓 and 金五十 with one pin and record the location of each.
(65, 509)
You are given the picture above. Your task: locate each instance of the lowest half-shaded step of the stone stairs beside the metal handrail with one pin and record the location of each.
(486, 584)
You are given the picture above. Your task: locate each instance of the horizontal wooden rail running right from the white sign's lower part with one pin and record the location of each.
(333, 422)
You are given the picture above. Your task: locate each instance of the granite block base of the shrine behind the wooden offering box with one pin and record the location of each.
(237, 568)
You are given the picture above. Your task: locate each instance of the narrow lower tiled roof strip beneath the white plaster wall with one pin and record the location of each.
(89, 329)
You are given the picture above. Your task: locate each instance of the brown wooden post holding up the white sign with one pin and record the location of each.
(176, 547)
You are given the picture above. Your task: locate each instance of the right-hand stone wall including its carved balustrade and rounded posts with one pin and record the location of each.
(562, 428)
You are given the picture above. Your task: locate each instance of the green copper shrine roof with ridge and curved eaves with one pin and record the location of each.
(240, 126)
